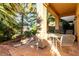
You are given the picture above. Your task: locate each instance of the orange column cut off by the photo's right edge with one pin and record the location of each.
(77, 23)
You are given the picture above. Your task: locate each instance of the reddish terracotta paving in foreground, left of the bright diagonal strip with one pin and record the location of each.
(24, 50)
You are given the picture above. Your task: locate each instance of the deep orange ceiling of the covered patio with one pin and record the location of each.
(61, 9)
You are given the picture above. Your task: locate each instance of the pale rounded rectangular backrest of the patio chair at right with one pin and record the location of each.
(67, 39)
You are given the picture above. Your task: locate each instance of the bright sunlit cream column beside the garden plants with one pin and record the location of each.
(42, 13)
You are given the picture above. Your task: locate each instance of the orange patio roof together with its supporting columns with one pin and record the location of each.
(59, 10)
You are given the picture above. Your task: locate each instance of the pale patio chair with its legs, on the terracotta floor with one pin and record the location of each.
(66, 40)
